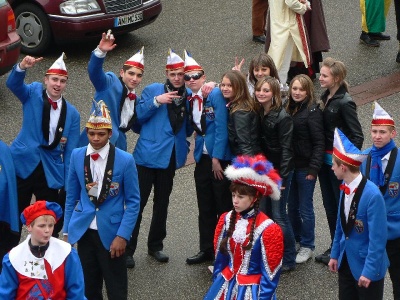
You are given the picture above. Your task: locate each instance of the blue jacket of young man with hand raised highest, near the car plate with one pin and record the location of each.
(109, 89)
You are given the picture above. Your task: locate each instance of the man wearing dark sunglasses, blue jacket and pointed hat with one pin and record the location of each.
(209, 116)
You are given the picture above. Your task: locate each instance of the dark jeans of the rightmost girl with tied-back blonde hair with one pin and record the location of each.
(330, 195)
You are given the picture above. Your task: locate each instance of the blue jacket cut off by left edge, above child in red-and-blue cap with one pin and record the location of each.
(8, 189)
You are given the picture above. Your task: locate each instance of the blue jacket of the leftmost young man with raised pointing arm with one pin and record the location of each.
(26, 149)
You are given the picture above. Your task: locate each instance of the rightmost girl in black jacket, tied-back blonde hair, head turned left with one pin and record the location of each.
(339, 111)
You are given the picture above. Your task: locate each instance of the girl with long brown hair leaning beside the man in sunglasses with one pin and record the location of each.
(243, 123)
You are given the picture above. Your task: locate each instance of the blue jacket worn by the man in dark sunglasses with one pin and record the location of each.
(216, 134)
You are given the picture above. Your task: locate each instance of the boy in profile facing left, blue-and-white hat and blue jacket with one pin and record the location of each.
(358, 249)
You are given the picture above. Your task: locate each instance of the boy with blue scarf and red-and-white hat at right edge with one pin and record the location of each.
(382, 167)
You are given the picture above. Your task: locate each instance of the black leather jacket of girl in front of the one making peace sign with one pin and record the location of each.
(276, 140)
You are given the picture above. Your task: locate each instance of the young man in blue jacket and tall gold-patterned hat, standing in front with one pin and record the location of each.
(101, 208)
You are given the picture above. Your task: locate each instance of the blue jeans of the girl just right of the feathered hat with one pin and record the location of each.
(277, 210)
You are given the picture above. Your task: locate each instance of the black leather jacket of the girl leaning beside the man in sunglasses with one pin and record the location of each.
(244, 132)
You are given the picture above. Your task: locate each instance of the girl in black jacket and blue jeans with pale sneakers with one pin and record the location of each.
(308, 147)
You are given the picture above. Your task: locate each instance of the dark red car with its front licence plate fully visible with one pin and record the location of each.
(39, 22)
